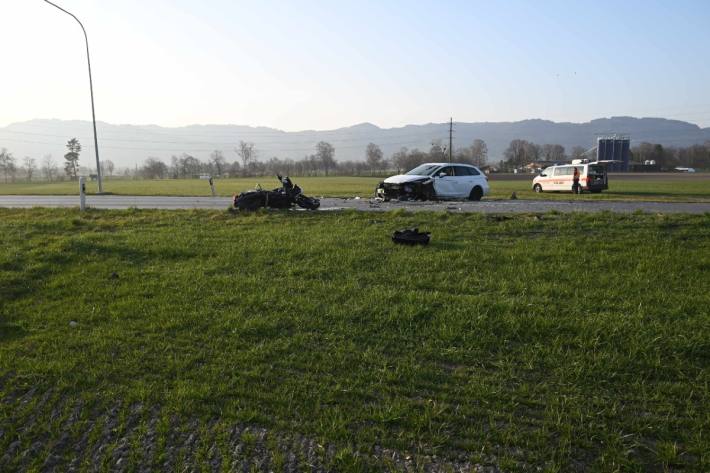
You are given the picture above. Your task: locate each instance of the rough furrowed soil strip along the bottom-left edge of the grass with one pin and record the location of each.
(66, 444)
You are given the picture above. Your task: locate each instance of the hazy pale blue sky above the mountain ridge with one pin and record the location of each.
(318, 65)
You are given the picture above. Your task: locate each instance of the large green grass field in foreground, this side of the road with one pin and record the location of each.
(286, 341)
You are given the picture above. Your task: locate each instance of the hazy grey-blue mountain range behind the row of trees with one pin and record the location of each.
(129, 145)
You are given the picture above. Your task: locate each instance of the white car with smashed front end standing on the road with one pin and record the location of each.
(432, 181)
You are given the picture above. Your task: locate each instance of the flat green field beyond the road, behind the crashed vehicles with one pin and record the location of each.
(671, 188)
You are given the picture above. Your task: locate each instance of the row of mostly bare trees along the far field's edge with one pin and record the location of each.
(322, 162)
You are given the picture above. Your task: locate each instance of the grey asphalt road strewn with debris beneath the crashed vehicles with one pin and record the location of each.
(486, 206)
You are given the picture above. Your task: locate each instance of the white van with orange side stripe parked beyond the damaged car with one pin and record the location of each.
(592, 178)
